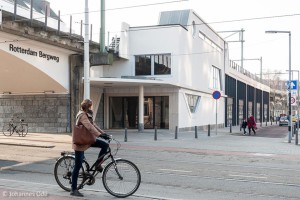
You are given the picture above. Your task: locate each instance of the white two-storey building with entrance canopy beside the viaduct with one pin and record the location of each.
(173, 67)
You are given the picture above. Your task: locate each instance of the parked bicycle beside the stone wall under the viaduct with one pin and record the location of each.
(21, 128)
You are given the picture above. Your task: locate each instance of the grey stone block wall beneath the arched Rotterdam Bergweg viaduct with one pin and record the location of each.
(48, 113)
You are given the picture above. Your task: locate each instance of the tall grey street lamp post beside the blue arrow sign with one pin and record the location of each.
(289, 86)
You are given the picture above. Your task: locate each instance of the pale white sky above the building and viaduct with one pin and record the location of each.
(254, 16)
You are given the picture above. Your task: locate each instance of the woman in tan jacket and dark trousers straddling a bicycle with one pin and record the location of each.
(85, 117)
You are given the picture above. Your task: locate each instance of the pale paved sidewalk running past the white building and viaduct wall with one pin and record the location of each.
(221, 140)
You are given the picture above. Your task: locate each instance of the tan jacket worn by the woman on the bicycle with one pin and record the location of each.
(83, 119)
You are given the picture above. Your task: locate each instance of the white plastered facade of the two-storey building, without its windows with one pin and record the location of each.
(195, 49)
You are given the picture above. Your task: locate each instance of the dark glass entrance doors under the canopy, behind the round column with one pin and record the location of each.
(123, 112)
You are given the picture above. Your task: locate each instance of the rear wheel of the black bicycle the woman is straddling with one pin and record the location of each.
(63, 170)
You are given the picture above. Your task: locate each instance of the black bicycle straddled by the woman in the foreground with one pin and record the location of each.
(121, 178)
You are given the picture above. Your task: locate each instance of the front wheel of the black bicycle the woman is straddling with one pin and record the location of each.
(121, 178)
